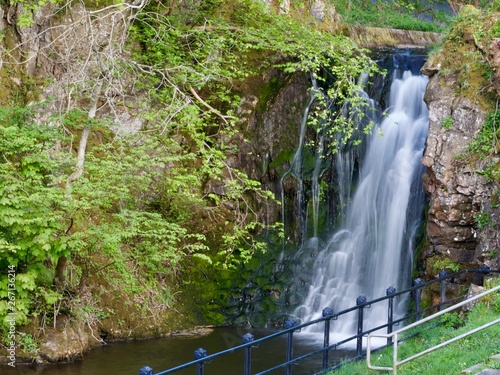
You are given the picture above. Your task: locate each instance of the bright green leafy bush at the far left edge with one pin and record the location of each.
(32, 220)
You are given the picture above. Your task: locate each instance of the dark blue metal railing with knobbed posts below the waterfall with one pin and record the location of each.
(201, 358)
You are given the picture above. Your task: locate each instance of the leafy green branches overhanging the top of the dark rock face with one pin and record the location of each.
(222, 50)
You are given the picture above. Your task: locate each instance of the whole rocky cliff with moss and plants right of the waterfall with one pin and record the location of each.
(461, 152)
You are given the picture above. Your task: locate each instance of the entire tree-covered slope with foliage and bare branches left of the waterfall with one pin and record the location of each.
(115, 179)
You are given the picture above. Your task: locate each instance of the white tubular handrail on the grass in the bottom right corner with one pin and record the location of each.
(396, 363)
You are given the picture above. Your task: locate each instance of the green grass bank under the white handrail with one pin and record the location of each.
(451, 359)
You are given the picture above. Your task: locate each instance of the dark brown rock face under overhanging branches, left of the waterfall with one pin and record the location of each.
(271, 110)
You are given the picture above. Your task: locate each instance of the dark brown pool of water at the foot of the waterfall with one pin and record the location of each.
(161, 354)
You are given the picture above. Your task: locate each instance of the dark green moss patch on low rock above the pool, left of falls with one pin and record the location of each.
(250, 295)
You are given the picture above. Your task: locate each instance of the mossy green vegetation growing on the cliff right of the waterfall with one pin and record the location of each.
(468, 61)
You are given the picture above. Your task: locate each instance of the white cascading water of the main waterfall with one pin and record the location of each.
(372, 251)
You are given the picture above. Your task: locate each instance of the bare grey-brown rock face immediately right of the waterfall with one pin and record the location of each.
(456, 190)
